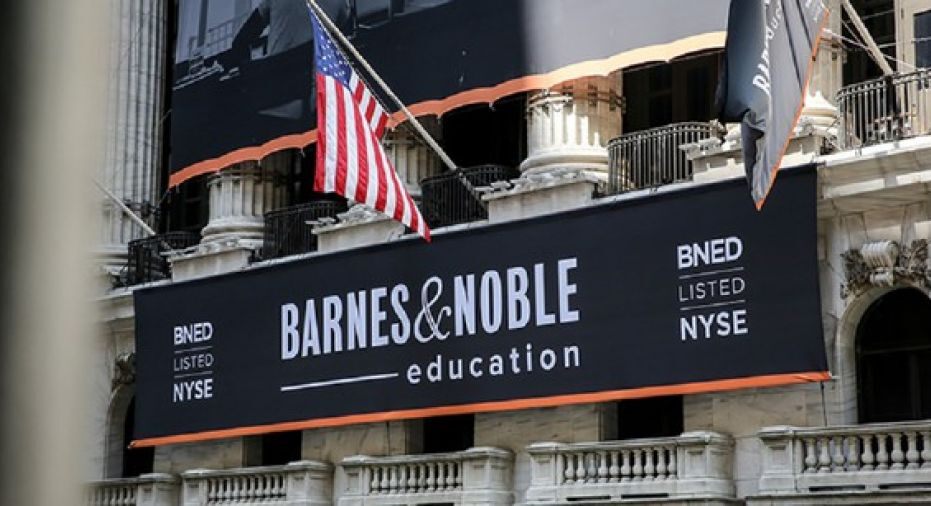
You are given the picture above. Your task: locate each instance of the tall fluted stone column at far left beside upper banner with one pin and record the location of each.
(134, 122)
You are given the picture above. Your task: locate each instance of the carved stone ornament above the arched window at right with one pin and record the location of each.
(886, 263)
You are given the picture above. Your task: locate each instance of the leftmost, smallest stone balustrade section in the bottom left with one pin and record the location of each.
(147, 490)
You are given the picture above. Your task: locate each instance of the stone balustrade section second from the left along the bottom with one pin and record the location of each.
(302, 483)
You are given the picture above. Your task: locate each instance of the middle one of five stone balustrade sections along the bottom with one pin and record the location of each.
(474, 476)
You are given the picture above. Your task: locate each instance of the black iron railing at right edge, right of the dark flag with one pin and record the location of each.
(885, 109)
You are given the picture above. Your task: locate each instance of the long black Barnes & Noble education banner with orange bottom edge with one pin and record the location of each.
(685, 292)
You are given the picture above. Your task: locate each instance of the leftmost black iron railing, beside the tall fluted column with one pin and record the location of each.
(147, 262)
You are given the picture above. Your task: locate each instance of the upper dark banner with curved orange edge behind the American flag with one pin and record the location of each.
(243, 69)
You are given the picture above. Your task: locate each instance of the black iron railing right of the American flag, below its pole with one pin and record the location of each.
(447, 201)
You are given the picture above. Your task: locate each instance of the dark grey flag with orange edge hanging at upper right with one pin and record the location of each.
(768, 54)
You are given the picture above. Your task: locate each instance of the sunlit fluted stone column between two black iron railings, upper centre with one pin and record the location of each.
(569, 126)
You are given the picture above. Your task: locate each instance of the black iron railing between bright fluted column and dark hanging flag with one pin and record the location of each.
(651, 158)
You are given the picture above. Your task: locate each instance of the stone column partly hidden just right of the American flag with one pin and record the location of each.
(412, 158)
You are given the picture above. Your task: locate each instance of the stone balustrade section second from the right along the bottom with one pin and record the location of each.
(695, 465)
